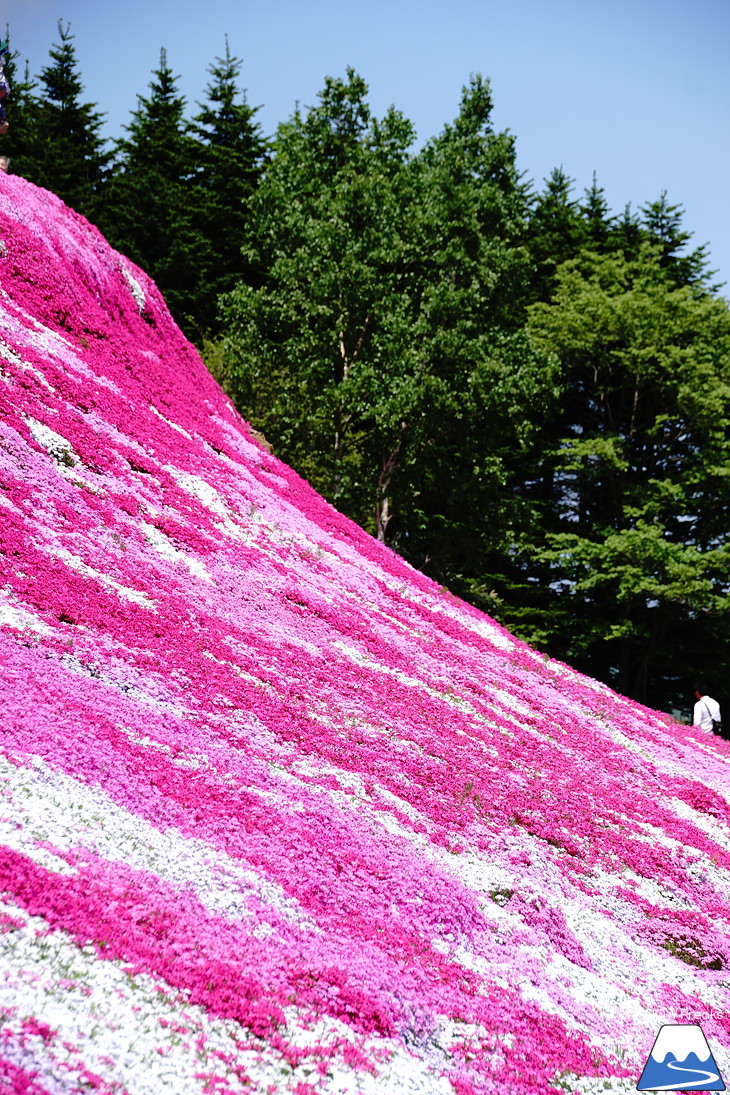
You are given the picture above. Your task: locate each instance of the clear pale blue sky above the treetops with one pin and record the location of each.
(638, 91)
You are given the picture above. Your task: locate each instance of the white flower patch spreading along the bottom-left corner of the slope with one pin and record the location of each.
(134, 1032)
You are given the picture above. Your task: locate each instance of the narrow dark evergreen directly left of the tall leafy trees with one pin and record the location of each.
(230, 163)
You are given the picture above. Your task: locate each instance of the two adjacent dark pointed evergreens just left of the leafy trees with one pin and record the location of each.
(177, 203)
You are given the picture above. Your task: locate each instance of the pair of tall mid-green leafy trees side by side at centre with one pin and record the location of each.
(388, 331)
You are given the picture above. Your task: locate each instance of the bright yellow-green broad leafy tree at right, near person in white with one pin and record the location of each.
(634, 489)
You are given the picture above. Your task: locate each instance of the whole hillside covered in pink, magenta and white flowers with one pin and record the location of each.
(279, 814)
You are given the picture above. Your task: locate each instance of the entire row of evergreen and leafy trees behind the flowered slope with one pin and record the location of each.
(523, 393)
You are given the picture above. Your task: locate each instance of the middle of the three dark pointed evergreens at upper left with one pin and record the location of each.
(150, 208)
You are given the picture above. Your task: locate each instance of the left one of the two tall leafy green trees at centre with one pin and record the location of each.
(326, 233)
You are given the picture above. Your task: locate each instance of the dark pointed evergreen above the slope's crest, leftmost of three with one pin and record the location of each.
(65, 152)
